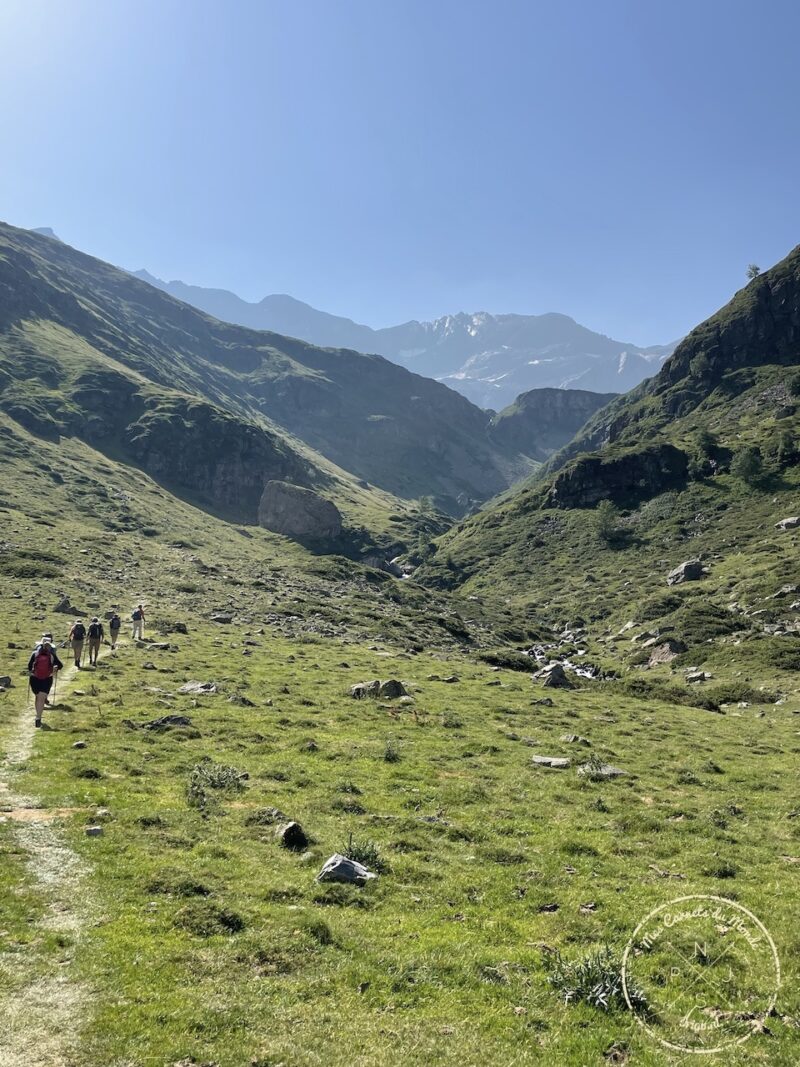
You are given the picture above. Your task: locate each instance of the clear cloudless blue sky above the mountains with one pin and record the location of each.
(618, 162)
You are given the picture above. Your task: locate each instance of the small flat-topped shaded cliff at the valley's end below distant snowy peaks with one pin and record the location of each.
(541, 422)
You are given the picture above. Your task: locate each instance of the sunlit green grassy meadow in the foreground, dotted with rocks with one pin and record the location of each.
(187, 935)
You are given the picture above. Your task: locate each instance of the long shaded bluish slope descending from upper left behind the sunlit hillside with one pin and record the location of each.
(405, 434)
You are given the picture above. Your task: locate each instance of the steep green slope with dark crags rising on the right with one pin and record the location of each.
(703, 463)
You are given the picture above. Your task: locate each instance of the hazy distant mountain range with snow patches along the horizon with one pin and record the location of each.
(489, 359)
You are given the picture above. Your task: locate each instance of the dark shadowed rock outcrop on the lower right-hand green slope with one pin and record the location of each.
(626, 479)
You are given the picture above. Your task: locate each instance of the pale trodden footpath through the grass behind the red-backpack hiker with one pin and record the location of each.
(42, 1011)
